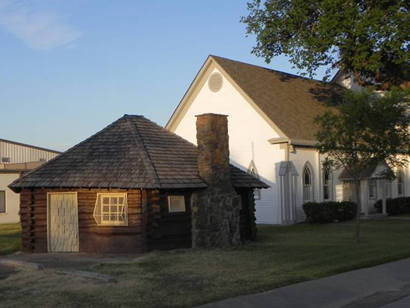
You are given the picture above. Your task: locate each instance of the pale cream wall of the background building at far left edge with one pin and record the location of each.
(12, 199)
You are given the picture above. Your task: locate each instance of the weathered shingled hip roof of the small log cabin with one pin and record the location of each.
(132, 152)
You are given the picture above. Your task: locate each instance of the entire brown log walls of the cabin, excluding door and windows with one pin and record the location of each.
(150, 225)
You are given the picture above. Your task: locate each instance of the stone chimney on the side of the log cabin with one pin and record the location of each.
(215, 210)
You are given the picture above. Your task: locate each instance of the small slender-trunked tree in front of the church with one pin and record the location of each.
(366, 129)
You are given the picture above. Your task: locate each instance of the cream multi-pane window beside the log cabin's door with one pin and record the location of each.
(99, 208)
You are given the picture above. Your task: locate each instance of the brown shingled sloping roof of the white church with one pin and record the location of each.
(291, 102)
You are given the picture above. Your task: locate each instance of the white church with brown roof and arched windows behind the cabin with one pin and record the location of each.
(272, 135)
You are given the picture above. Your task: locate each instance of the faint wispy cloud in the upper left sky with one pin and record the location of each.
(38, 29)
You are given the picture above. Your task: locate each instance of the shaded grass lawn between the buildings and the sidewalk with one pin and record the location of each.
(281, 256)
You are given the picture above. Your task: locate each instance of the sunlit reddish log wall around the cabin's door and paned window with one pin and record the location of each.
(92, 237)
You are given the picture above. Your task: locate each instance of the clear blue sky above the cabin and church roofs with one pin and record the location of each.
(69, 68)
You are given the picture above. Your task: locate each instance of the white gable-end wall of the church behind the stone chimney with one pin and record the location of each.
(248, 139)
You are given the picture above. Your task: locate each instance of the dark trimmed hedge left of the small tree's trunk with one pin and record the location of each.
(330, 211)
